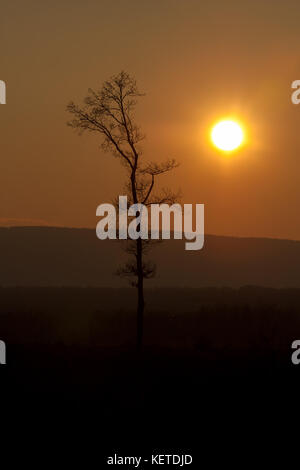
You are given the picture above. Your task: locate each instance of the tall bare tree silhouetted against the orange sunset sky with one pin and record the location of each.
(110, 112)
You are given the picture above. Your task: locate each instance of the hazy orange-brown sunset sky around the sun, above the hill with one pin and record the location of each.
(197, 61)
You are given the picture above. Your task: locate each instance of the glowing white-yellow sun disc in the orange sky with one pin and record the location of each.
(227, 135)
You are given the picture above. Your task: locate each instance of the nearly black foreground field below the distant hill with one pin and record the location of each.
(212, 358)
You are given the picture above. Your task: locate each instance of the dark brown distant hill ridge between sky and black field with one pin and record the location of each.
(49, 256)
